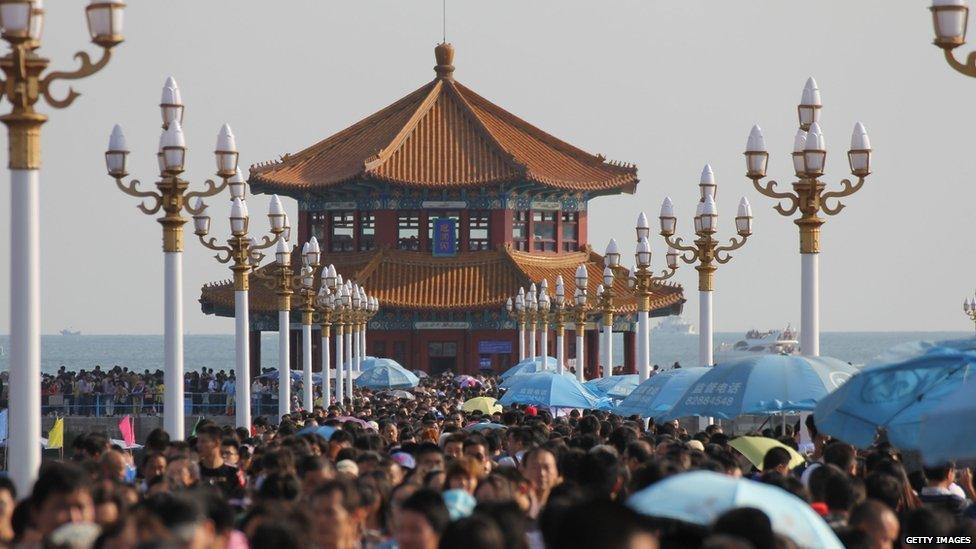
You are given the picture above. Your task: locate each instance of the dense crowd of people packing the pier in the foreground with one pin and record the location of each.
(389, 472)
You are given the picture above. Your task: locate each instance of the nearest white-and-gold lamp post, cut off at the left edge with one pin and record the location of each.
(26, 79)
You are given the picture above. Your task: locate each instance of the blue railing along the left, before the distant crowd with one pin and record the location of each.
(100, 405)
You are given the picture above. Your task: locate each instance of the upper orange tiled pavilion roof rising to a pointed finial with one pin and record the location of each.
(444, 136)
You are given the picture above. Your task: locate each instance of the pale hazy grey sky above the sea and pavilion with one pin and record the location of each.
(668, 85)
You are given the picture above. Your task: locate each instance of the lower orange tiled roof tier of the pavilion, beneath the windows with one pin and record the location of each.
(408, 280)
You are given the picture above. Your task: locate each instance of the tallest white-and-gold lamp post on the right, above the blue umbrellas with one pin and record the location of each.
(809, 197)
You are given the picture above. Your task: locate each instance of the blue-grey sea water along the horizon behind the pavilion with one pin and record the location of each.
(145, 352)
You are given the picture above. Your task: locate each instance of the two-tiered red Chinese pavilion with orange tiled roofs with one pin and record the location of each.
(510, 205)
